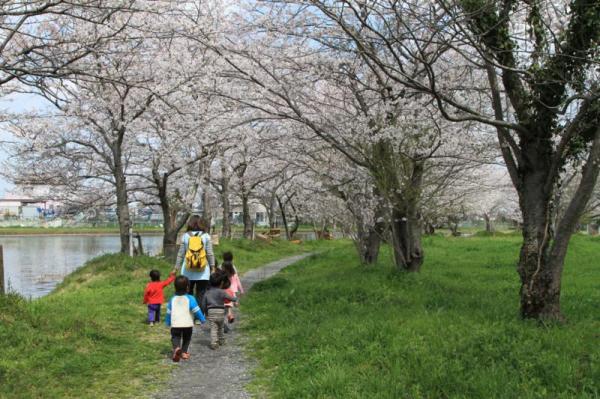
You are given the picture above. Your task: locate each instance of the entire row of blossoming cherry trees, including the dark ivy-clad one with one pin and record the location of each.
(385, 117)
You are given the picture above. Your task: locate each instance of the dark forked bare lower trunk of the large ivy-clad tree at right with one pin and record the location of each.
(542, 256)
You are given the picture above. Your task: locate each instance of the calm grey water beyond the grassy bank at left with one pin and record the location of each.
(35, 264)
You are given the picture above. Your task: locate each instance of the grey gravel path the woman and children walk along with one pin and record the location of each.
(221, 373)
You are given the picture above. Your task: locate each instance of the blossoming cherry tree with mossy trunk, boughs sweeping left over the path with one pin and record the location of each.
(393, 133)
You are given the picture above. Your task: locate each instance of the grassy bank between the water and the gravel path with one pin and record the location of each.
(88, 339)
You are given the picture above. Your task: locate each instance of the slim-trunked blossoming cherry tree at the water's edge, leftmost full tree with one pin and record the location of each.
(103, 111)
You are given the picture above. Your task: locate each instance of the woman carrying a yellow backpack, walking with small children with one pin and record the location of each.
(196, 256)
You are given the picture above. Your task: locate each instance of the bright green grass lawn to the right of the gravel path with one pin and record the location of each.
(328, 327)
